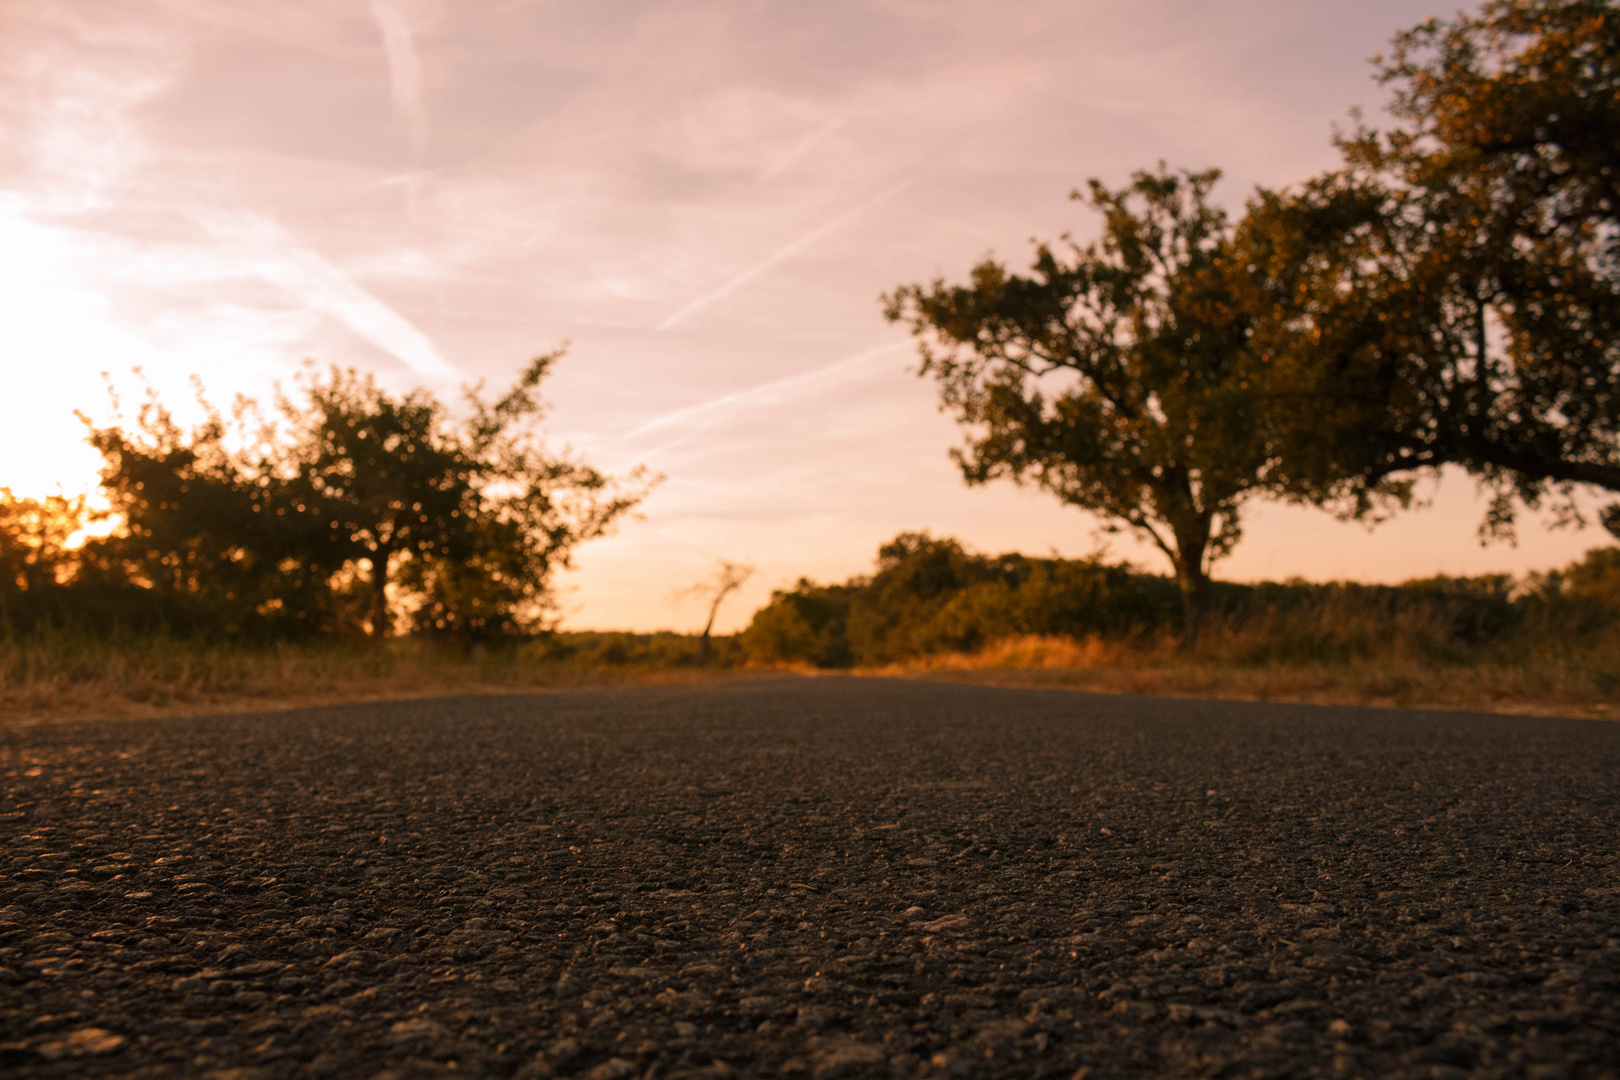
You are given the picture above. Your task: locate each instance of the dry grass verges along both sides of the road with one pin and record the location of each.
(64, 678)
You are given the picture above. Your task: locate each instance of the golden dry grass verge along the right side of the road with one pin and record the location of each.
(1153, 668)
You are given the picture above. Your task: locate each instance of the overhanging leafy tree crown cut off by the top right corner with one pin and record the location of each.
(1452, 294)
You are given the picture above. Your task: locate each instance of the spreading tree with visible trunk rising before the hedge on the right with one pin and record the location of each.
(1115, 376)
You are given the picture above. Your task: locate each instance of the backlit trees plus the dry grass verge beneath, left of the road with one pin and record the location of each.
(341, 545)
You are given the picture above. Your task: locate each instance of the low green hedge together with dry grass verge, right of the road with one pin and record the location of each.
(1543, 644)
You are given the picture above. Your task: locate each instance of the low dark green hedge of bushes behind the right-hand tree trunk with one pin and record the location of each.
(932, 597)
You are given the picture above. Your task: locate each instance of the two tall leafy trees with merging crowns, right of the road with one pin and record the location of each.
(1447, 297)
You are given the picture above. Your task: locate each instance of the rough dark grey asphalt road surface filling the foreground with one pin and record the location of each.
(812, 878)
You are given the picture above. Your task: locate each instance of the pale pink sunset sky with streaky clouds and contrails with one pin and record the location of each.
(706, 200)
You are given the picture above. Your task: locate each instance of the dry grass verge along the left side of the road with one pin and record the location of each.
(64, 679)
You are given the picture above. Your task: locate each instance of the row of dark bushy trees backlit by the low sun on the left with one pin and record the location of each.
(330, 514)
